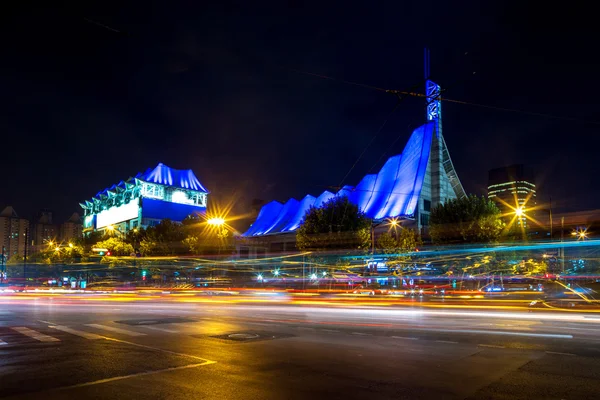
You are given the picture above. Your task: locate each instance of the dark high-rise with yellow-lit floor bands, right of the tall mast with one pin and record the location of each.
(512, 188)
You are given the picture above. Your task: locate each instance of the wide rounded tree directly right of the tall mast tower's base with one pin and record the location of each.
(471, 219)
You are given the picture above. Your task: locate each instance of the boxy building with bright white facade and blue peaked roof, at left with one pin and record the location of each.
(145, 200)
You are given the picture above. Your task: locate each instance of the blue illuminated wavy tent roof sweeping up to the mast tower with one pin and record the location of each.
(393, 192)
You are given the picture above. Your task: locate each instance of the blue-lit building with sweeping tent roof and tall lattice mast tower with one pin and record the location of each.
(407, 187)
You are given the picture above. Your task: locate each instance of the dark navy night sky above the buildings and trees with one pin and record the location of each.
(215, 88)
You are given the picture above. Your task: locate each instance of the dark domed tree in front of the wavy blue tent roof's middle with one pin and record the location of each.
(336, 224)
